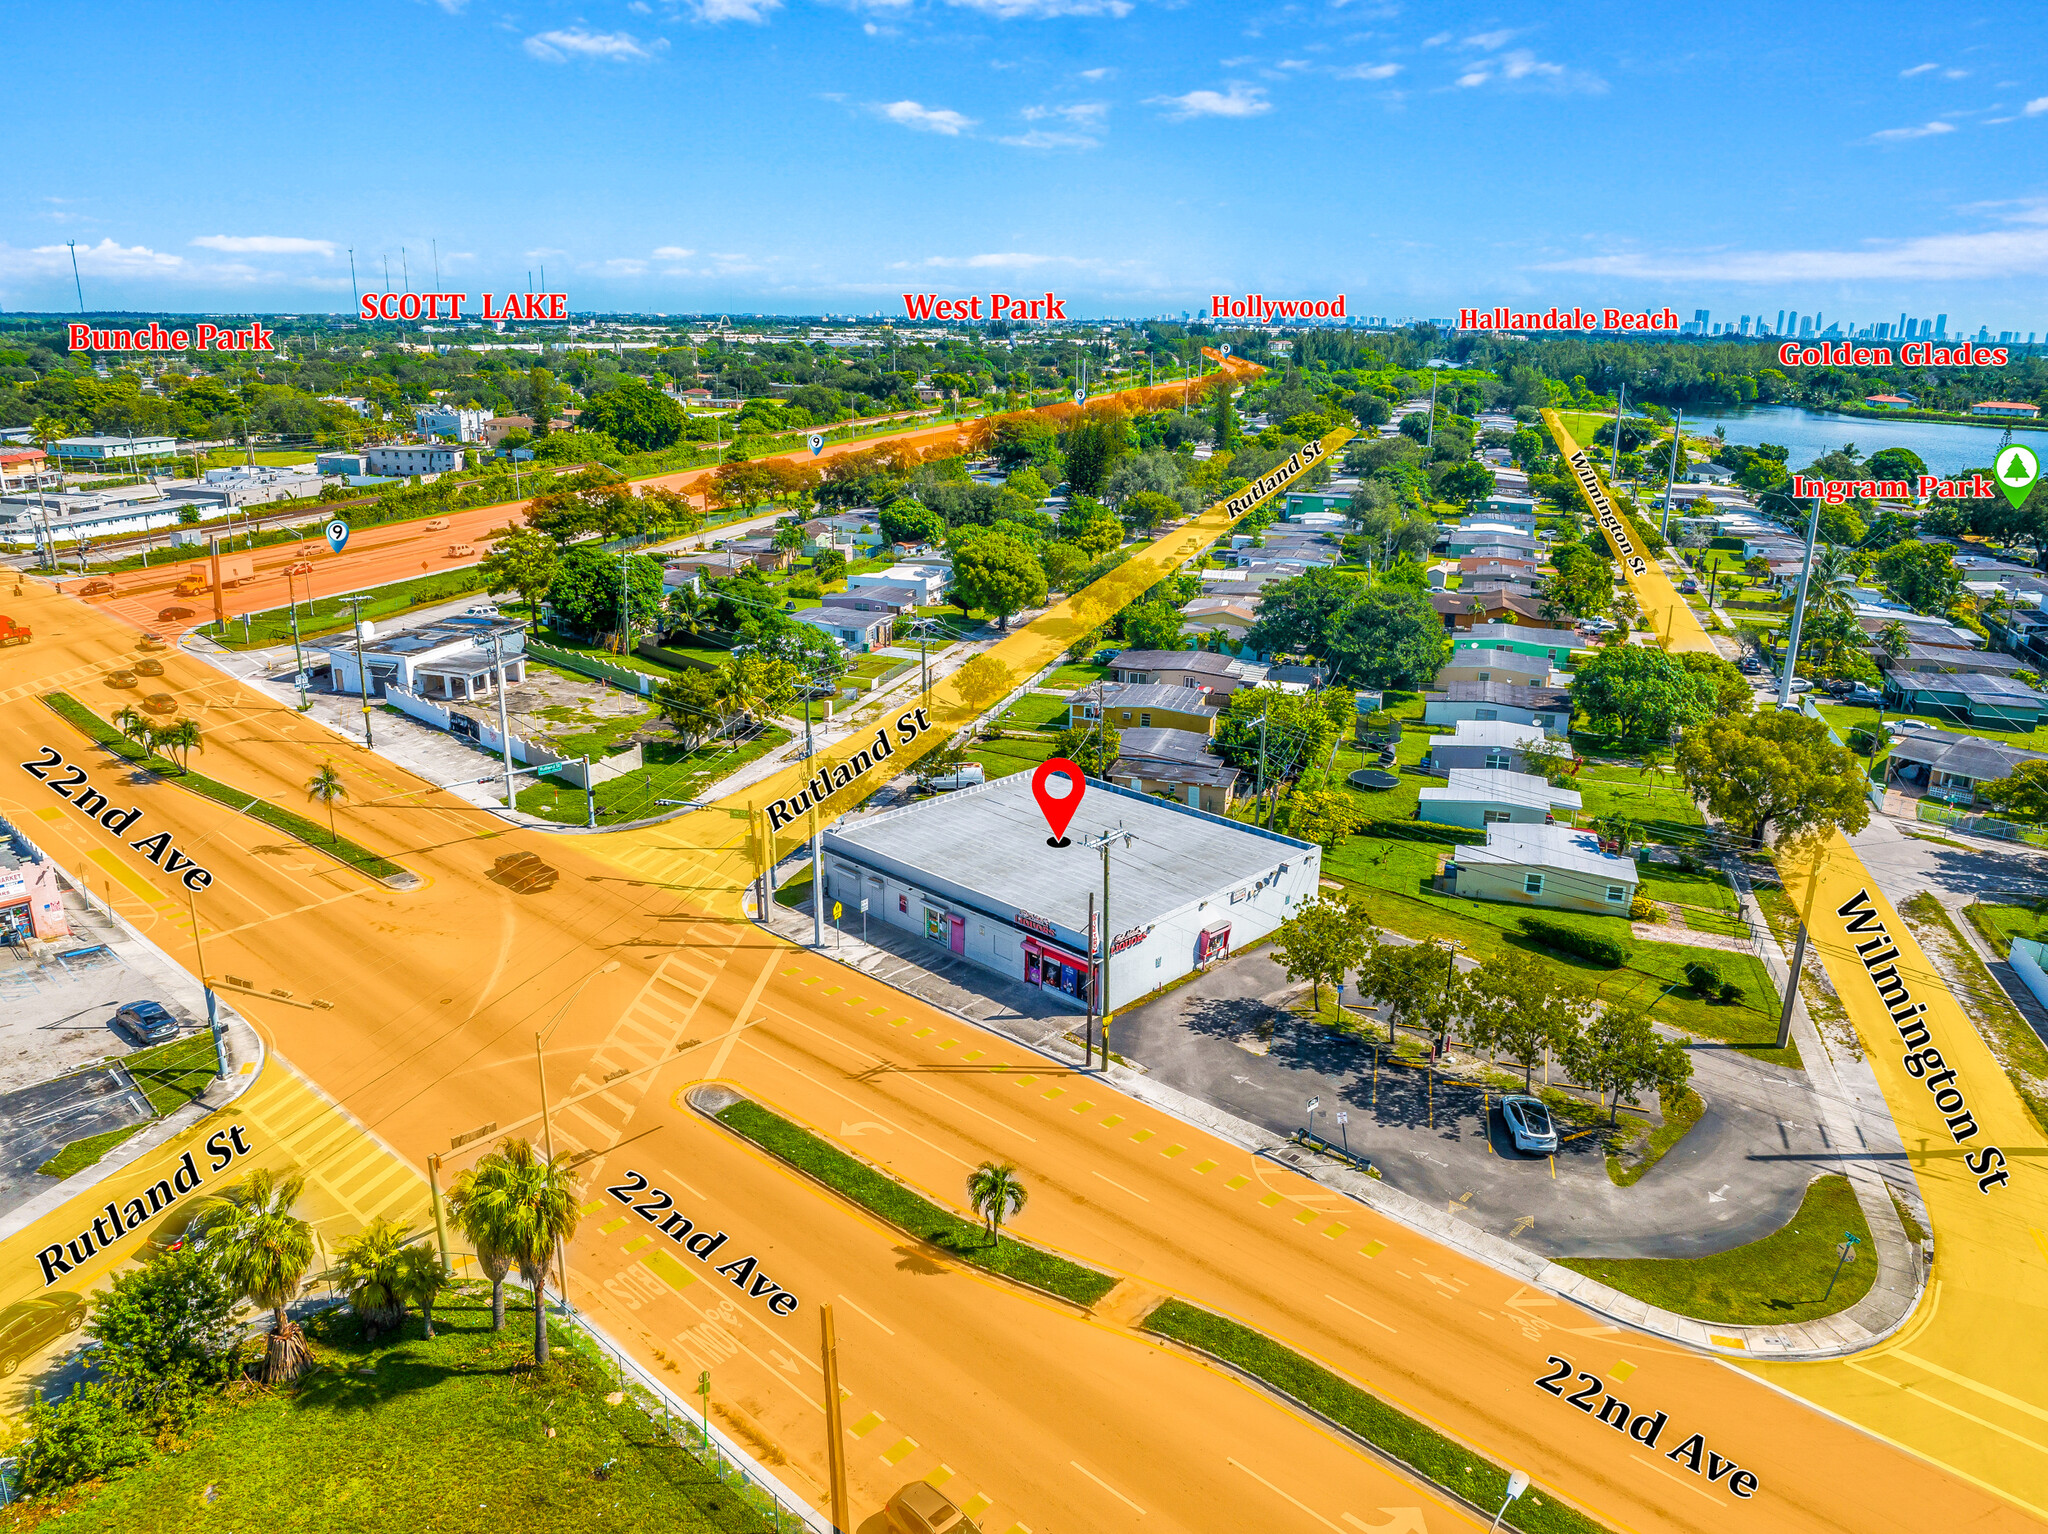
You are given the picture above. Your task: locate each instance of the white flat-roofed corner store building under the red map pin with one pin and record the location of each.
(974, 876)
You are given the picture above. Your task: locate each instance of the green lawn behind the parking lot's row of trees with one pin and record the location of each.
(1396, 876)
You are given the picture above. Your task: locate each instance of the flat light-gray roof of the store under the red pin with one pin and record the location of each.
(992, 843)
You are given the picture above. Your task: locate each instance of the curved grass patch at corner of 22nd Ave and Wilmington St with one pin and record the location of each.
(1779, 1279)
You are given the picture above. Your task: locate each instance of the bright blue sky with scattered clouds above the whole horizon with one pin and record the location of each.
(1132, 157)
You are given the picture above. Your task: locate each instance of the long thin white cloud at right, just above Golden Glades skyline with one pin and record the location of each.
(1938, 257)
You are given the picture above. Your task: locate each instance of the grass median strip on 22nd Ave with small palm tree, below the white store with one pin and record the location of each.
(921, 1218)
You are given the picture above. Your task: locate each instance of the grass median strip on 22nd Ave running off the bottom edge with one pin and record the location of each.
(1435, 1457)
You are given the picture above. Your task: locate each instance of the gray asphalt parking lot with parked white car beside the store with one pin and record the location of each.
(1740, 1175)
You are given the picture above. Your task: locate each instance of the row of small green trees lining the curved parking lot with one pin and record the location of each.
(1514, 1007)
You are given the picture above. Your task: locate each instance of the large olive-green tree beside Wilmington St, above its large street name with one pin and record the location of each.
(1775, 769)
